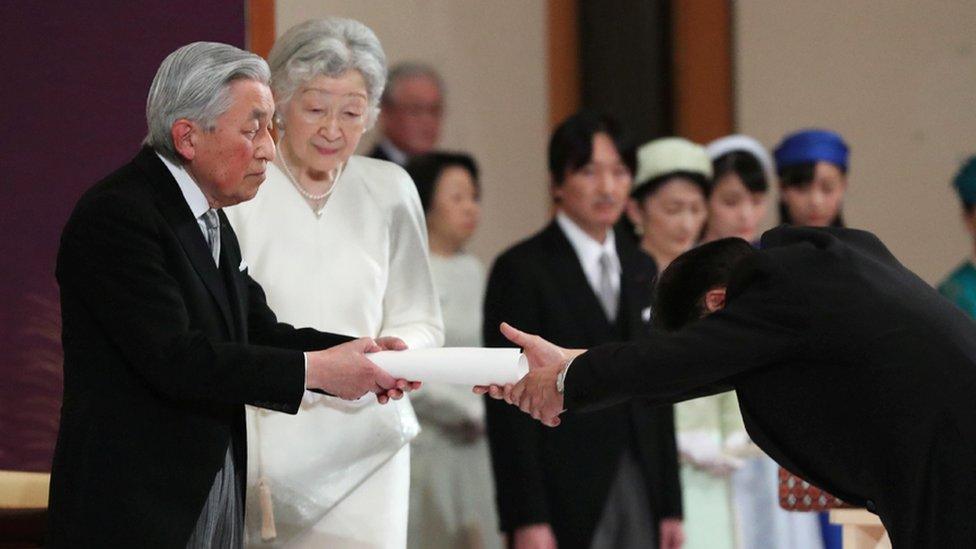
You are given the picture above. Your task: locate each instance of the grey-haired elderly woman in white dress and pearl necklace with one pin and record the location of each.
(339, 243)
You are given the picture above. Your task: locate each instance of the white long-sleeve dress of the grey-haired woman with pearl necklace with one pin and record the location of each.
(339, 471)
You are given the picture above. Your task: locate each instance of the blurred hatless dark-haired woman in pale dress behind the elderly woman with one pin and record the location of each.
(451, 489)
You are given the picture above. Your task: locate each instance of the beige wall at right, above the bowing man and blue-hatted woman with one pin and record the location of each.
(898, 80)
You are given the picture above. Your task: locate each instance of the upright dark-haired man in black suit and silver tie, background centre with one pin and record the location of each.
(579, 283)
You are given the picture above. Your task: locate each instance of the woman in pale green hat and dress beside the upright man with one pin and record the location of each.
(668, 208)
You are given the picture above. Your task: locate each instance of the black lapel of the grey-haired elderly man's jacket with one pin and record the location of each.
(177, 213)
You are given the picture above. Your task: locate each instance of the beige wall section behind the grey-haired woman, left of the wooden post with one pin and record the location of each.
(492, 57)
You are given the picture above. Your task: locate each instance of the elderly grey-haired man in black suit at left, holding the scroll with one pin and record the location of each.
(165, 334)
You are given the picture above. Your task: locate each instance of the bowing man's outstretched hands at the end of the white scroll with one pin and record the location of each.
(535, 394)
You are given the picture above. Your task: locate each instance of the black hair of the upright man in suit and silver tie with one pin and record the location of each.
(571, 145)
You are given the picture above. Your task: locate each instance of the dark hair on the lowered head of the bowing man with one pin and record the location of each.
(679, 297)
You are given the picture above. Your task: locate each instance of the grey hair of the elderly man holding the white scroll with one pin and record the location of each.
(192, 83)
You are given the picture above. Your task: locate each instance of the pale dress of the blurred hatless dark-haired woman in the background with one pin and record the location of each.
(452, 495)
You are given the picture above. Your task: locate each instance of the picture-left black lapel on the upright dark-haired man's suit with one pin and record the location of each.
(573, 282)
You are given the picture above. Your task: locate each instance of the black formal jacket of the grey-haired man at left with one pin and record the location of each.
(161, 352)
